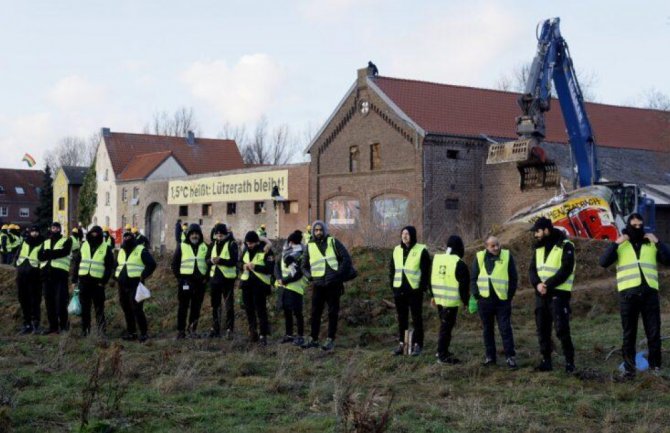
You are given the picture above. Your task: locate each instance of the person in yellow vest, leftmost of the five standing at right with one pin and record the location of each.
(409, 276)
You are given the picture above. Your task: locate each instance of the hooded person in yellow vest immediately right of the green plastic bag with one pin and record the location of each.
(92, 269)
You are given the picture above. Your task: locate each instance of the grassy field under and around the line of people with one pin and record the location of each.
(68, 383)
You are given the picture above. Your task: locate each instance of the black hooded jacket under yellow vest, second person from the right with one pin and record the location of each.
(557, 237)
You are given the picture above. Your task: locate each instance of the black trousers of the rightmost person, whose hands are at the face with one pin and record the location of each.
(632, 306)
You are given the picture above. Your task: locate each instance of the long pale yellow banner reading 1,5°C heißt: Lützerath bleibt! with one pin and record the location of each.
(255, 186)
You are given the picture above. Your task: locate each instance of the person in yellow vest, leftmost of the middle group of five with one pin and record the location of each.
(189, 266)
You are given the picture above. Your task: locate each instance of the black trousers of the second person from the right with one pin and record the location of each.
(554, 309)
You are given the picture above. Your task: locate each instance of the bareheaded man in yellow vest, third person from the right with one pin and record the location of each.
(493, 283)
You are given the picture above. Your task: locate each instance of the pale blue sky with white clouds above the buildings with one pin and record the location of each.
(70, 67)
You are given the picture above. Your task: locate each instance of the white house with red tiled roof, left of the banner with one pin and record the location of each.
(133, 171)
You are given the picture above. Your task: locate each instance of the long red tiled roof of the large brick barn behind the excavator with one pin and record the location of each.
(469, 111)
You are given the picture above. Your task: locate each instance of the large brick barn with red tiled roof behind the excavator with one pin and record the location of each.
(398, 151)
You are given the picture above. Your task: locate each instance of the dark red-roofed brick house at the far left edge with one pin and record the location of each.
(19, 195)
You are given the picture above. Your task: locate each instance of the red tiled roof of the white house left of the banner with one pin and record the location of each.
(205, 156)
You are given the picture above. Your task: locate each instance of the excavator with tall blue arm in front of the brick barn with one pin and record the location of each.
(552, 63)
